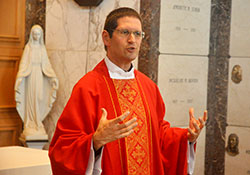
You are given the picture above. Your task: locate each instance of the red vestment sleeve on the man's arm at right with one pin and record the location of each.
(173, 143)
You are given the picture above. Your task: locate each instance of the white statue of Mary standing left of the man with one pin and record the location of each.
(36, 85)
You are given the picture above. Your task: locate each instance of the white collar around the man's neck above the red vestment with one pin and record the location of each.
(116, 72)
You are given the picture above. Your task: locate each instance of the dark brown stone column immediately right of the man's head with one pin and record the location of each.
(149, 53)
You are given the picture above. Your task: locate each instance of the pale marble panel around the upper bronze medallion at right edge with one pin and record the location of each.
(238, 94)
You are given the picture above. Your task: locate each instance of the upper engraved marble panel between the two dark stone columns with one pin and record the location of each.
(185, 27)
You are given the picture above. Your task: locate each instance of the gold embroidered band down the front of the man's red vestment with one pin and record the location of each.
(137, 144)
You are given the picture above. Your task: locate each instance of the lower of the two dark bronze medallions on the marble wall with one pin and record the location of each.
(232, 145)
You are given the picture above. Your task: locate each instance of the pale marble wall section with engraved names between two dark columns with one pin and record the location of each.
(183, 63)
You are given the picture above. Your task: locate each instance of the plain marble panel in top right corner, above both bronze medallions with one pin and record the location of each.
(240, 24)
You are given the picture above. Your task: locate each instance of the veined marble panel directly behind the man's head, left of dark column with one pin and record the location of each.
(97, 18)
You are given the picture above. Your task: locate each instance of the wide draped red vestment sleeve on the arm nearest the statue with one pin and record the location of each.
(70, 147)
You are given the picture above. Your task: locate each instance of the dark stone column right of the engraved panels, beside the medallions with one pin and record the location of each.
(217, 87)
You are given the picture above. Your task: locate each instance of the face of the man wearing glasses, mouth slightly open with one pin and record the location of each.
(123, 47)
